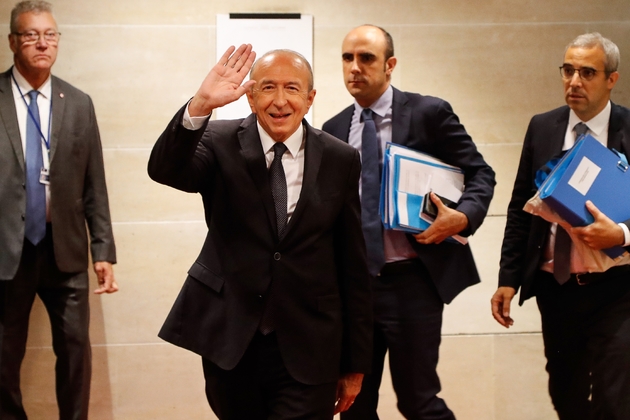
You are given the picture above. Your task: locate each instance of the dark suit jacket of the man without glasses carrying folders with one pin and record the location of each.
(429, 125)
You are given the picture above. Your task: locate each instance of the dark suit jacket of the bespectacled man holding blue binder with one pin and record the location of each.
(526, 235)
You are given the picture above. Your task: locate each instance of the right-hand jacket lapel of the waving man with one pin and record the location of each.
(313, 152)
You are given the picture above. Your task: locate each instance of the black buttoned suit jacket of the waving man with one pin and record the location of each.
(318, 271)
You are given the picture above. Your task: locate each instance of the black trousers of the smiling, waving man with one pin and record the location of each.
(261, 388)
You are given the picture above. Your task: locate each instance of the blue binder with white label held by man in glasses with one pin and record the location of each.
(589, 171)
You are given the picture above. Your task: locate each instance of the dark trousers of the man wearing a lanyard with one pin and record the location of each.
(65, 297)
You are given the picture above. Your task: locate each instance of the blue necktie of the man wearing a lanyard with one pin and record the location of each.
(35, 228)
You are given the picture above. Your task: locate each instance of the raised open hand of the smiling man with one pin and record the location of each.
(222, 85)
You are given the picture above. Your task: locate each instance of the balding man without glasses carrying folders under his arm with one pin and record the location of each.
(412, 276)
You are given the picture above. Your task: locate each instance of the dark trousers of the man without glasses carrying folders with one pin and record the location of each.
(408, 324)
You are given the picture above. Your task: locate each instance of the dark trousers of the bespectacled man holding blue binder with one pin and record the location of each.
(586, 332)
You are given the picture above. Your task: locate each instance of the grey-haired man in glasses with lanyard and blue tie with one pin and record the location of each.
(52, 196)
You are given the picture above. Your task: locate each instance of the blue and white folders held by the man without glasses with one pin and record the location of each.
(407, 179)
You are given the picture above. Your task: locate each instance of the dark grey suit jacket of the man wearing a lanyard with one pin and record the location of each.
(78, 193)
